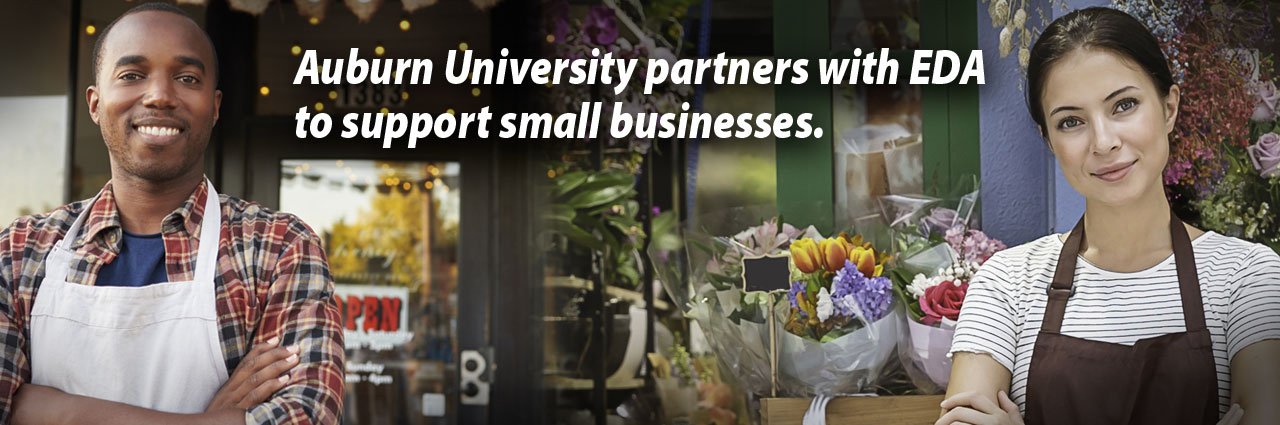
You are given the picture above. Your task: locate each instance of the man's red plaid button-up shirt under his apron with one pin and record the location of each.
(273, 280)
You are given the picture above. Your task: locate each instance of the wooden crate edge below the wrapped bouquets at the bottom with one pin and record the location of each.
(895, 410)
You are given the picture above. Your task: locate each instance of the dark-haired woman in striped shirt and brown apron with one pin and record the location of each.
(1133, 317)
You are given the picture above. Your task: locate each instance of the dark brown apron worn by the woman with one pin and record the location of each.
(1169, 380)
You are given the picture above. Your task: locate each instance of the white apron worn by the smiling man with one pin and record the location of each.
(153, 346)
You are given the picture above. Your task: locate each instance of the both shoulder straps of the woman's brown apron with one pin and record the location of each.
(1185, 258)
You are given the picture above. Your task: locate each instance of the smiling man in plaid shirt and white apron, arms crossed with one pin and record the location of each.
(159, 300)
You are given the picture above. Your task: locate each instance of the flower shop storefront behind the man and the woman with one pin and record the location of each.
(605, 281)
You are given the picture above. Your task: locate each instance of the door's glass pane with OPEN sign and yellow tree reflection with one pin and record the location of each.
(391, 232)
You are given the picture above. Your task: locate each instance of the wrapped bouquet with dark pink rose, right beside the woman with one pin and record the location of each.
(939, 255)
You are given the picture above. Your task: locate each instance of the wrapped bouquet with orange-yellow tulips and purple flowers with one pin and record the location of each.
(833, 331)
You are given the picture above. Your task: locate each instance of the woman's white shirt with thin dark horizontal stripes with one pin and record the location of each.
(1005, 304)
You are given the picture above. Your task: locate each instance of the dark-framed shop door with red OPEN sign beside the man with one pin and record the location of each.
(406, 236)
